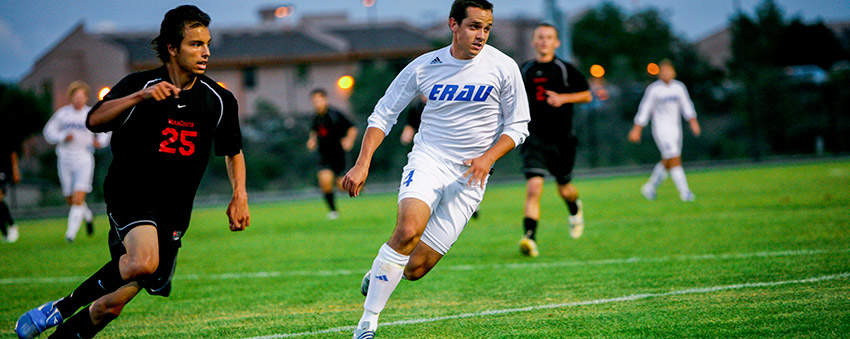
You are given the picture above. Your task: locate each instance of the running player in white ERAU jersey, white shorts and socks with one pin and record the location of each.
(477, 111)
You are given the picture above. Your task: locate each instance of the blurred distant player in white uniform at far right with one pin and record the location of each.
(663, 102)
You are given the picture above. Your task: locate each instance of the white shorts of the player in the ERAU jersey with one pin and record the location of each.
(440, 184)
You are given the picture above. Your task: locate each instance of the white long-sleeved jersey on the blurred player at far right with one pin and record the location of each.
(664, 102)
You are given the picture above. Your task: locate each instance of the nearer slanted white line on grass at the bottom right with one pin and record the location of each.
(633, 297)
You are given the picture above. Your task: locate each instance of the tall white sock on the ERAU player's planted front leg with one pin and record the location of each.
(387, 270)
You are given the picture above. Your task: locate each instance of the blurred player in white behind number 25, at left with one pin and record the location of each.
(75, 146)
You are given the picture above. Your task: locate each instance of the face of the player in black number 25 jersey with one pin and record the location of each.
(194, 51)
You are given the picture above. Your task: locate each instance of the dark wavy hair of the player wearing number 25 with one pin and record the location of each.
(173, 24)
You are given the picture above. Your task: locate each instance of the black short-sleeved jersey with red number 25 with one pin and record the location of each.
(161, 148)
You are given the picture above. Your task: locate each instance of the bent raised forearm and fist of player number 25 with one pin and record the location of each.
(107, 111)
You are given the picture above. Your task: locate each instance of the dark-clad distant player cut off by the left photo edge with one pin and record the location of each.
(9, 174)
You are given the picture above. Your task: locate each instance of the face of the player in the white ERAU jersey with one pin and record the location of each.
(469, 36)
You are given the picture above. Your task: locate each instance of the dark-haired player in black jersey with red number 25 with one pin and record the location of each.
(164, 123)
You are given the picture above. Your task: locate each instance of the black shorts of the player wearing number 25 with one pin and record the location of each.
(158, 283)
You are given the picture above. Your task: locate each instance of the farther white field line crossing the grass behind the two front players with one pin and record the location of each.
(324, 273)
